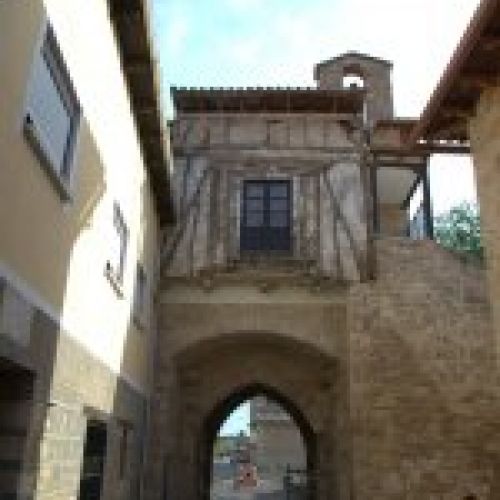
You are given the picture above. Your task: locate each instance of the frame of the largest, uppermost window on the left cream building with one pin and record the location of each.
(49, 54)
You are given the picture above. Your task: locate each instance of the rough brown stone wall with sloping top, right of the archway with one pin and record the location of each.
(423, 394)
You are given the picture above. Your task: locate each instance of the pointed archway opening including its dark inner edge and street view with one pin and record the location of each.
(260, 447)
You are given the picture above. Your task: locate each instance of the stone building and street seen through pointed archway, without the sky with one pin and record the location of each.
(268, 460)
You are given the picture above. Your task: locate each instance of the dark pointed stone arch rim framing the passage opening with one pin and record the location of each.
(214, 421)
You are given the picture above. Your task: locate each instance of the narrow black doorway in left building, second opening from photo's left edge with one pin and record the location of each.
(94, 456)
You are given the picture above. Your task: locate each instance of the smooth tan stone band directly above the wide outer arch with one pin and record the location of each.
(317, 326)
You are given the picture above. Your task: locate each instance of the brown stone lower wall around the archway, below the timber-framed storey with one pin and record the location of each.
(395, 377)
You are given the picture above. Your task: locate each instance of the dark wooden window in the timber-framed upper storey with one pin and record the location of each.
(265, 224)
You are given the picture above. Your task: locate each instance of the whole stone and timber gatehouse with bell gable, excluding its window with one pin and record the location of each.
(379, 346)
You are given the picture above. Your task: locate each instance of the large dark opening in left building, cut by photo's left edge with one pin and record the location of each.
(16, 403)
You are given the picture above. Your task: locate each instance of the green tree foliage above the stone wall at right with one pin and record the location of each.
(459, 230)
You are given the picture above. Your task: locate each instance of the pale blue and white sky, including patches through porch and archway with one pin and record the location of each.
(277, 42)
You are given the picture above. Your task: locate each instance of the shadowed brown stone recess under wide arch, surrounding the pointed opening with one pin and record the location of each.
(213, 375)
